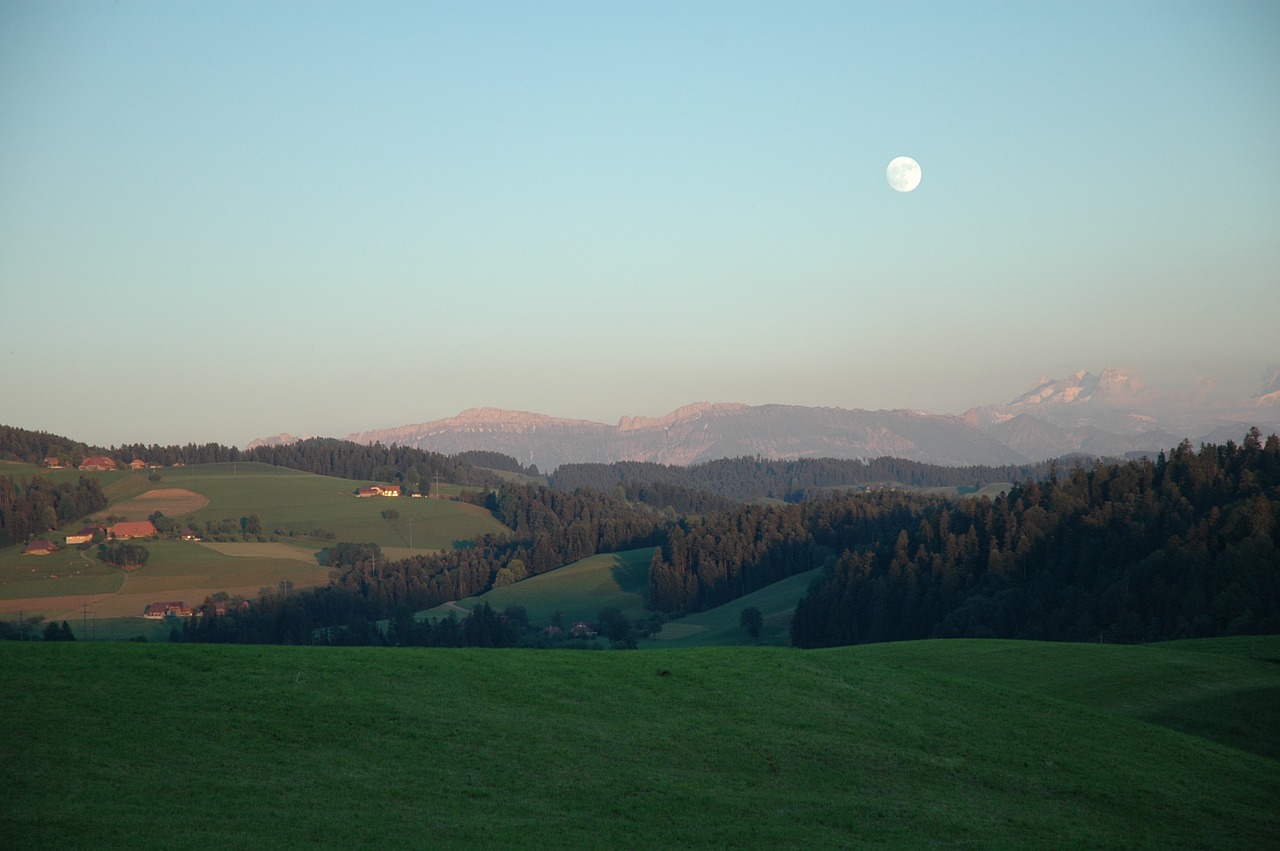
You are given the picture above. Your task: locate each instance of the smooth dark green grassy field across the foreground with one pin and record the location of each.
(961, 744)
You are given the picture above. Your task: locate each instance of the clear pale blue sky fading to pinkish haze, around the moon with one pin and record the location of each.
(226, 221)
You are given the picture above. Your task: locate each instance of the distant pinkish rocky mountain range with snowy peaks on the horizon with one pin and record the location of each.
(1110, 414)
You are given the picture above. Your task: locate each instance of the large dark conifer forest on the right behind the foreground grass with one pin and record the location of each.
(1183, 547)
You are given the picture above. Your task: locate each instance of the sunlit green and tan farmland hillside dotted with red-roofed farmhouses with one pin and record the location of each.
(300, 514)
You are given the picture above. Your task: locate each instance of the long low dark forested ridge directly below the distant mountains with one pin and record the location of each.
(747, 479)
